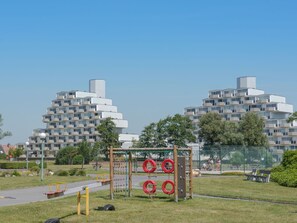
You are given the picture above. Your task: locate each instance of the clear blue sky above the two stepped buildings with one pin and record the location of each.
(157, 57)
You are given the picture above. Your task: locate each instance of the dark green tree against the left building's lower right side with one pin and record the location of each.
(108, 134)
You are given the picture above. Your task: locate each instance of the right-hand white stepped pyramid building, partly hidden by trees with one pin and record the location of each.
(232, 104)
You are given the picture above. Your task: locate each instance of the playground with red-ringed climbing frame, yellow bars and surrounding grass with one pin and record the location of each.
(137, 197)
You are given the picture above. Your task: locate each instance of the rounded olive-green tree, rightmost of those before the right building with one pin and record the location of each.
(251, 127)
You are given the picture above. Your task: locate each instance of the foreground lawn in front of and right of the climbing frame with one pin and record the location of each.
(140, 208)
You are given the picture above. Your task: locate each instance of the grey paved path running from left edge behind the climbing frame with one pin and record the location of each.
(34, 194)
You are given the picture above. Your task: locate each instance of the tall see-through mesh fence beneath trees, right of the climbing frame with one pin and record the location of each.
(233, 158)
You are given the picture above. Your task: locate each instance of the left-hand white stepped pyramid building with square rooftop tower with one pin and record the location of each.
(73, 117)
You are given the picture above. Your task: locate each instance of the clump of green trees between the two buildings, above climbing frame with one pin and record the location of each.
(173, 130)
